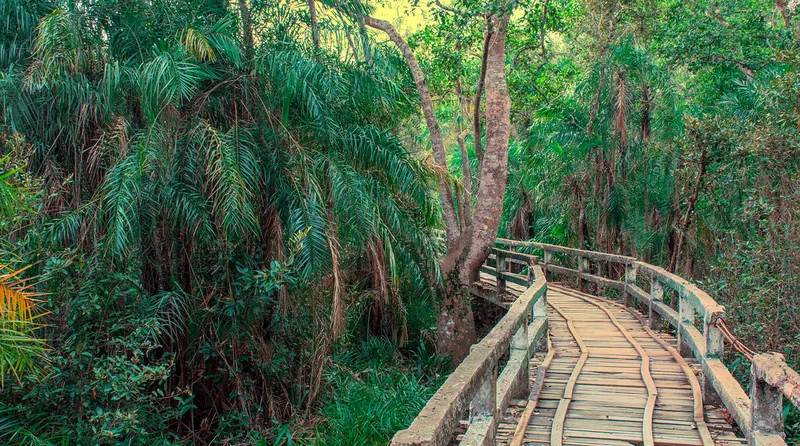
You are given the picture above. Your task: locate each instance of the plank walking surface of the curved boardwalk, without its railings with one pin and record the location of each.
(610, 381)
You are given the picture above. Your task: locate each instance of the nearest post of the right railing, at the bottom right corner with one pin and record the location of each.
(766, 405)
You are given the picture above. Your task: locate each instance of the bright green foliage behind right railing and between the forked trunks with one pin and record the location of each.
(663, 130)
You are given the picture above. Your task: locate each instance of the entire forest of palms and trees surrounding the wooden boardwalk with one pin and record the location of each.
(220, 222)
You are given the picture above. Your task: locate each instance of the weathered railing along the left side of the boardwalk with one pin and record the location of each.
(477, 388)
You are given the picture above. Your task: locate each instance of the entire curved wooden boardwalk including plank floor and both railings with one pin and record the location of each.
(562, 367)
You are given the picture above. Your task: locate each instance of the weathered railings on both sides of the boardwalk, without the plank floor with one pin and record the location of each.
(476, 391)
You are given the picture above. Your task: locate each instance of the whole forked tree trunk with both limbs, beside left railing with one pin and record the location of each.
(467, 247)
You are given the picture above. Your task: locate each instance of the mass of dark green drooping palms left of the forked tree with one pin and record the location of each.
(203, 218)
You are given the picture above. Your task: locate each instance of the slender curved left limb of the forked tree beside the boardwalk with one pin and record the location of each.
(437, 142)
